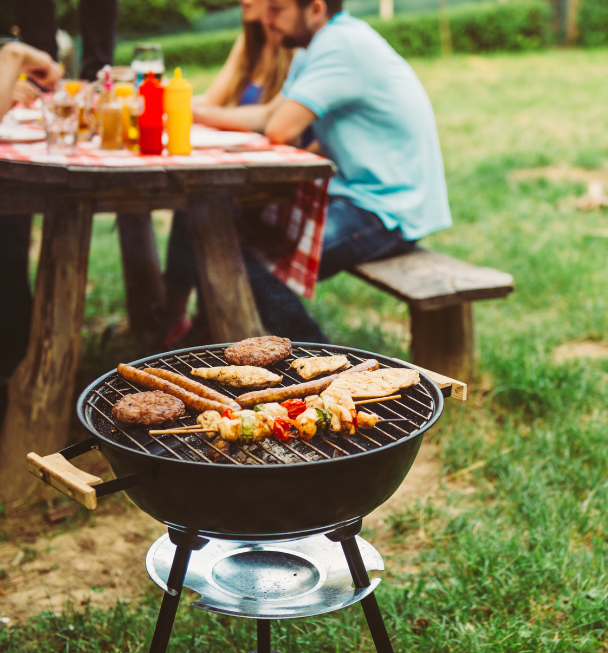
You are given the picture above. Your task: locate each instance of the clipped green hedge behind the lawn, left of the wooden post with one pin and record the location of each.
(513, 26)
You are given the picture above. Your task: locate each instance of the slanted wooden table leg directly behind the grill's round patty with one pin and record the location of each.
(231, 308)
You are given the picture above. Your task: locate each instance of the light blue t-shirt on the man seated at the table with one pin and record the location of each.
(375, 121)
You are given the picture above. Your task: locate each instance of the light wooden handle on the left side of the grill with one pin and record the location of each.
(65, 477)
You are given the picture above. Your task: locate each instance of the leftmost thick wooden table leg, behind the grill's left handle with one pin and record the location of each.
(40, 398)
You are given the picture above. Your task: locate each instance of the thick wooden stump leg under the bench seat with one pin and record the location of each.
(443, 340)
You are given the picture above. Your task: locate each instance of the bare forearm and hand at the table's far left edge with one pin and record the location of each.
(17, 58)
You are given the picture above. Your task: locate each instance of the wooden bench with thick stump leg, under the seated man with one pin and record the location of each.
(440, 291)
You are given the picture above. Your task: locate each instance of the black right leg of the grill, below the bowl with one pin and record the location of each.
(373, 616)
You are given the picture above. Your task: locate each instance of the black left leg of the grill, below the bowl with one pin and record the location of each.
(175, 583)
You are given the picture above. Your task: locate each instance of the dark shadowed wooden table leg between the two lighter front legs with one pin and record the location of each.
(144, 286)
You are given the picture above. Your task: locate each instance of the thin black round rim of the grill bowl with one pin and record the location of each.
(82, 399)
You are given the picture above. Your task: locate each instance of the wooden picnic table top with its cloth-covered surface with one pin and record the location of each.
(93, 168)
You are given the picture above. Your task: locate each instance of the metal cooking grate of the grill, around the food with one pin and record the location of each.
(416, 405)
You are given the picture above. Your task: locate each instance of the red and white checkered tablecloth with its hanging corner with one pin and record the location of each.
(300, 223)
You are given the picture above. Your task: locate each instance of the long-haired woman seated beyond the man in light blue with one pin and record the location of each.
(253, 74)
